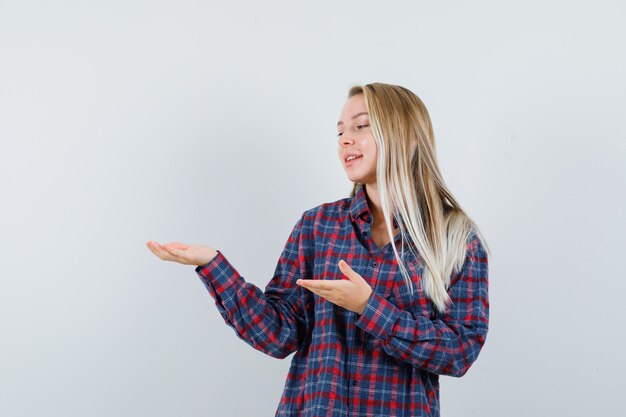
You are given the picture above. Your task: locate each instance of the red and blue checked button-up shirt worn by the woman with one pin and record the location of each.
(385, 362)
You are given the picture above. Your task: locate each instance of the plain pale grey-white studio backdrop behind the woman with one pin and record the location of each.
(214, 123)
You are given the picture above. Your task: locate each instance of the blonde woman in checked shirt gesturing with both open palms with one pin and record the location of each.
(373, 324)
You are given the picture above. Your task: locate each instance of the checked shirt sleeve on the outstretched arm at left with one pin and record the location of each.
(271, 321)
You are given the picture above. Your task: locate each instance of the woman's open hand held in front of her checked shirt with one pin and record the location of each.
(352, 293)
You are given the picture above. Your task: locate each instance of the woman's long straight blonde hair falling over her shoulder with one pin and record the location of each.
(412, 189)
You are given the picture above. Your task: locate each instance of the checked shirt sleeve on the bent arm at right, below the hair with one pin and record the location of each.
(449, 344)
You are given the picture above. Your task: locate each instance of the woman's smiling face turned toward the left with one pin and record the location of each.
(355, 138)
